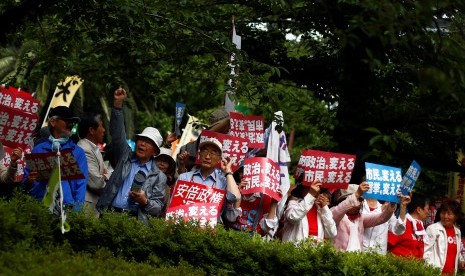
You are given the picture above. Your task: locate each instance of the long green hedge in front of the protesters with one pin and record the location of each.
(121, 244)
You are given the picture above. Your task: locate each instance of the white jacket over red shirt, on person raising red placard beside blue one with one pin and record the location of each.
(296, 224)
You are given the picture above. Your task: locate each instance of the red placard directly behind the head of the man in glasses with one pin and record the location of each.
(233, 147)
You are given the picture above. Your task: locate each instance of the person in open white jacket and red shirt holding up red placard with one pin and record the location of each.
(307, 215)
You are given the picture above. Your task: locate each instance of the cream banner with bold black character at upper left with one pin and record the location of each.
(64, 93)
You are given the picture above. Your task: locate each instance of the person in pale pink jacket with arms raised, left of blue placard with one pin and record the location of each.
(350, 222)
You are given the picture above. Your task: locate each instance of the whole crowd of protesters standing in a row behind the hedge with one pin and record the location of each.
(140, 183)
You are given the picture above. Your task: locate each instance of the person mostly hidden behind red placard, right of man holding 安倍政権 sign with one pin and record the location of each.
(254, 212)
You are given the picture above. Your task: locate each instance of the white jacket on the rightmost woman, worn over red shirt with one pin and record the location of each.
(436, 247)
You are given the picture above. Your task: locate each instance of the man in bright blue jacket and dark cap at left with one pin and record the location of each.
(60, 123)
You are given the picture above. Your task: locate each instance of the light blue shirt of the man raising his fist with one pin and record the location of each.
(122, 199)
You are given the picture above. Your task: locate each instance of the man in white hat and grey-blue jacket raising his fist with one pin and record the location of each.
(137, 186)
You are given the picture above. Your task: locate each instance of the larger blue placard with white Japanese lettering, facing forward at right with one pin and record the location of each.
(384, 182)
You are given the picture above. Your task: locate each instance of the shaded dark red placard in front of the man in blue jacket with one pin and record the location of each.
(43, 163)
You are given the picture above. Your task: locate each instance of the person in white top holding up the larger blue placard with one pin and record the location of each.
(375, 238)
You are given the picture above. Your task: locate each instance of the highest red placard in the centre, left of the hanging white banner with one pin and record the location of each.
(248, 127)
